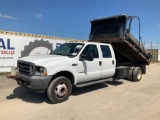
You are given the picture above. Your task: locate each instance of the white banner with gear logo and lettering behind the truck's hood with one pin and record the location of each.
(14, 47)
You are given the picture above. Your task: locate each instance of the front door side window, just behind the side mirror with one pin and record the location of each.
(91, 48)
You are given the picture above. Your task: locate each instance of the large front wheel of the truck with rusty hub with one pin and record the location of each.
(59, 90)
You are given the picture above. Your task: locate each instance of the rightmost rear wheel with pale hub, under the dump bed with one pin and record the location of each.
(137, 74)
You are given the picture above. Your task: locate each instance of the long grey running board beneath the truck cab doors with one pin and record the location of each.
(94, 82)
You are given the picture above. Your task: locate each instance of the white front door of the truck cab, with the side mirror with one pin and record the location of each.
(89, 70)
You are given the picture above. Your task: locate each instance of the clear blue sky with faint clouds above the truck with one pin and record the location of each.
(71, 18)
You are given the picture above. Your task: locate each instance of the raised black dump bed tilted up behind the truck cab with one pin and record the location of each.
(113, 30)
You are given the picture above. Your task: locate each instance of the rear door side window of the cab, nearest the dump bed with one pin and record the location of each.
(106, 52)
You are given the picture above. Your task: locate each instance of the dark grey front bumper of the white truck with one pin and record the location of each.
(34, 82)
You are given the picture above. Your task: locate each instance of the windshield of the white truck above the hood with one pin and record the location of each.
(68, 49)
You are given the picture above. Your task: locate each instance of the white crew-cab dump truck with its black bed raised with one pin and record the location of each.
(111, 53)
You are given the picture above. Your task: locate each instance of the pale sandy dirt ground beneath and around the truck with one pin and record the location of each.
(121, 100)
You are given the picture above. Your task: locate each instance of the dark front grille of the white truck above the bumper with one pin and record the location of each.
(25, 68)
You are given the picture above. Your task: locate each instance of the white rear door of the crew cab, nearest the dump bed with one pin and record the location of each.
(108, 61)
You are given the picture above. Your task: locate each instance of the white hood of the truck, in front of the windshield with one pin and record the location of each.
(41, 60)
